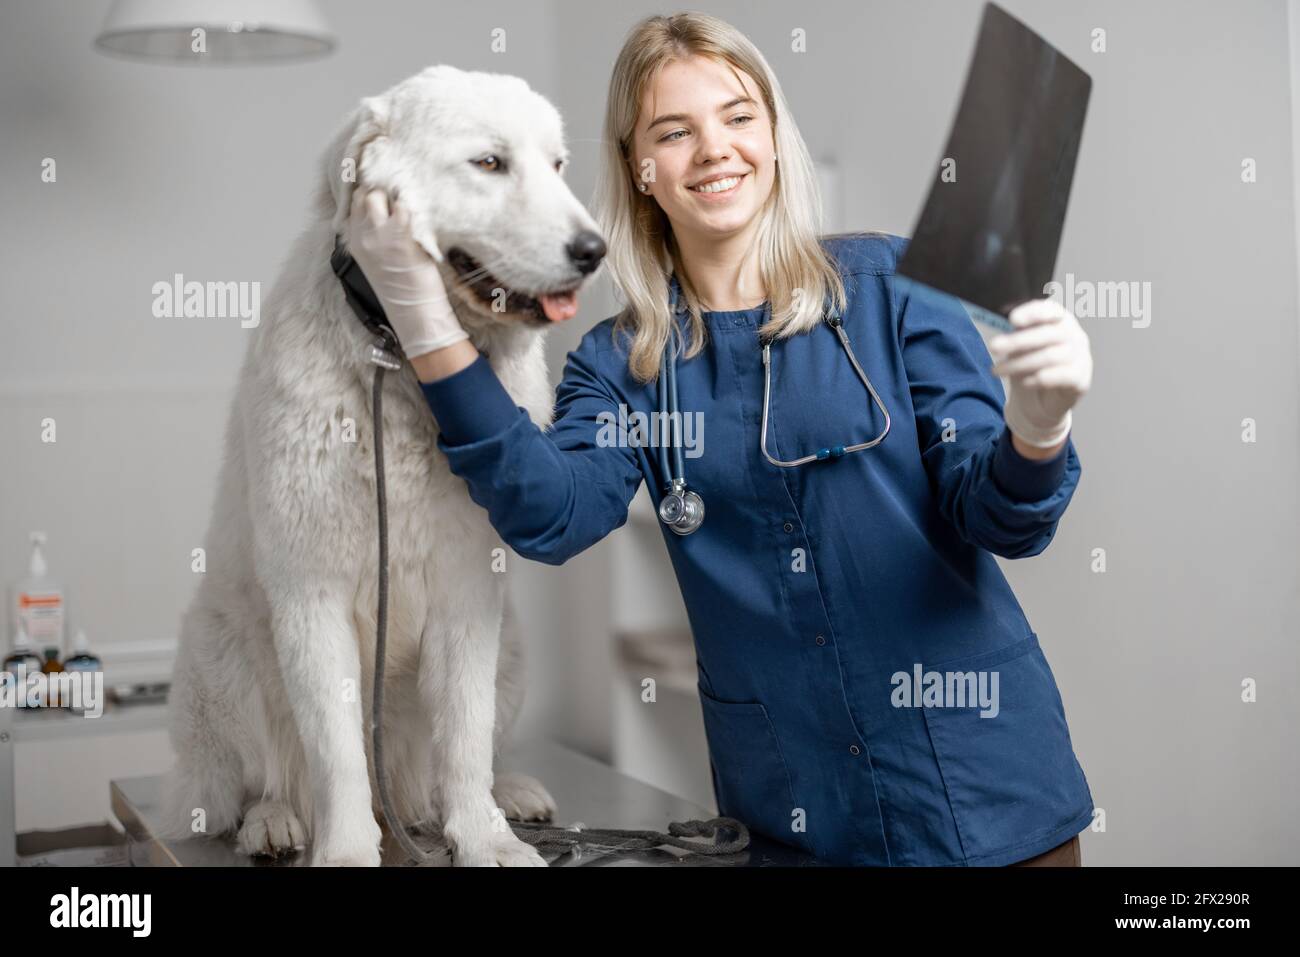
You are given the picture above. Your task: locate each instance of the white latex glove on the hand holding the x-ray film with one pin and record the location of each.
(1048, 361)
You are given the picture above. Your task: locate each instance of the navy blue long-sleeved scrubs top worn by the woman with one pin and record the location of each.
(814, 591)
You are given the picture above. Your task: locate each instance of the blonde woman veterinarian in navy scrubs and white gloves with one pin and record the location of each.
(816, 592)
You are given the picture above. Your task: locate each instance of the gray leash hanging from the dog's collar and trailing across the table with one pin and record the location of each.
(384, 356)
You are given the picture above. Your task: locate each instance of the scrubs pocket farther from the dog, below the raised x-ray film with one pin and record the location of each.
(1012, 780)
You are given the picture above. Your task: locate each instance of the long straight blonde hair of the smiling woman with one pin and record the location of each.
(795, 270)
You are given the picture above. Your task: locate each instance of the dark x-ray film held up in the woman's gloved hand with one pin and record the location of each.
(991, 227)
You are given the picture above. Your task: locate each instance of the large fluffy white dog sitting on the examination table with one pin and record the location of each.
(271, 700)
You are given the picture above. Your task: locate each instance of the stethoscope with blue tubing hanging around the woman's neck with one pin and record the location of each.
(683, 510)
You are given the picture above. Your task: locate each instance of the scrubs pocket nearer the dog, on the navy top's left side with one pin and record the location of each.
(751, 780)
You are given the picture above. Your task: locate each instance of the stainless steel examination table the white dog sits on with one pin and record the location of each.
(586, 791)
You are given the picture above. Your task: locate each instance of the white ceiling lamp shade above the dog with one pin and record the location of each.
(233, 32)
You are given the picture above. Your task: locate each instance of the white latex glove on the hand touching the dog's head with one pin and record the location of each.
(402, 275)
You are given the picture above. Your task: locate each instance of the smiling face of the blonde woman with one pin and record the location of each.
(709, 137)
